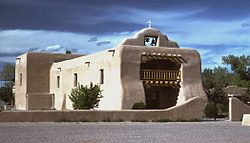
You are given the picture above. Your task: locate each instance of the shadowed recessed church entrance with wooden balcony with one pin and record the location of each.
(161, 81)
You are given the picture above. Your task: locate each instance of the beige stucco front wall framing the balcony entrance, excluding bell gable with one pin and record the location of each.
(133, 91)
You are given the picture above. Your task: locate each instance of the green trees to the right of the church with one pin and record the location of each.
(215, 80)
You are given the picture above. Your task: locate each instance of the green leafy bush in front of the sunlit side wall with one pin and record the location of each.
(84, 97)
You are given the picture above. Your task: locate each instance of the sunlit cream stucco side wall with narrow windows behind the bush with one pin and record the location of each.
(88, 70)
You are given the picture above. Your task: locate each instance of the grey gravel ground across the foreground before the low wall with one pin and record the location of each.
(125, 132)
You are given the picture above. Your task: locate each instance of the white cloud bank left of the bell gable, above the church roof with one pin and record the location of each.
(21, 41)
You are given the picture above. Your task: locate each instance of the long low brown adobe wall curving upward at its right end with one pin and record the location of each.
(191, 109)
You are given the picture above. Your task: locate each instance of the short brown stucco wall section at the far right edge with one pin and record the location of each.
(237, 108)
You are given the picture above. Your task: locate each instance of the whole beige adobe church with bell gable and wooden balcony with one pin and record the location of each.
(147, 67)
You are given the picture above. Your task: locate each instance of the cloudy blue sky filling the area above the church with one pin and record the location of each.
(215, 28)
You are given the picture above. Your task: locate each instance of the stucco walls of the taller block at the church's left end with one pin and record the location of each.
(35, 69)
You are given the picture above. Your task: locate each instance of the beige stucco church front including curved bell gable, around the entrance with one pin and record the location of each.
(133, 48)
